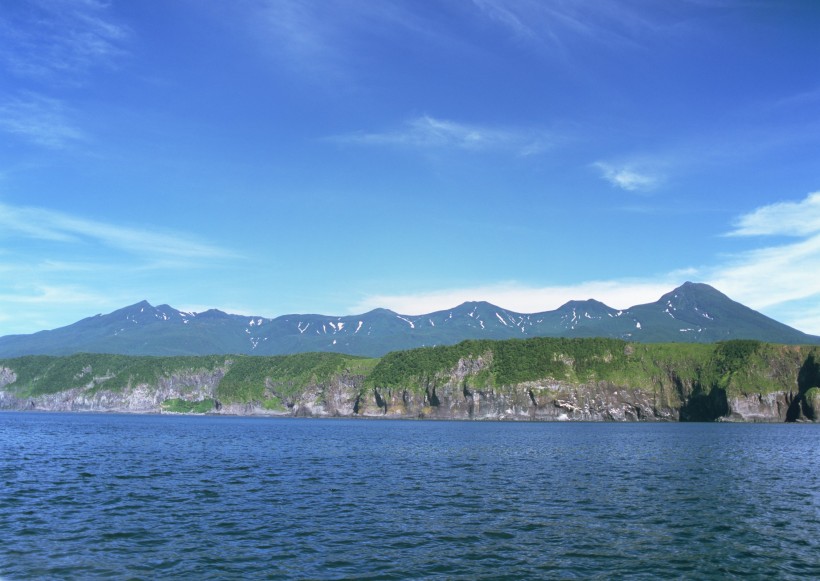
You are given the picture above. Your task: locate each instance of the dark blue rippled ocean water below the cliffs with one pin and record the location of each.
(102, 496)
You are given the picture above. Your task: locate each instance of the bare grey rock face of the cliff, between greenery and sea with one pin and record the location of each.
(447, 396)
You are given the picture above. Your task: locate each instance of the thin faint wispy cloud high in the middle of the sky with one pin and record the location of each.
(428, 132)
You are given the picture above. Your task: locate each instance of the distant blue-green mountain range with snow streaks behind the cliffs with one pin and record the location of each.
(692, 313)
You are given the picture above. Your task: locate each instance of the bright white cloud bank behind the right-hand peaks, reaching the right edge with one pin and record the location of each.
(780, 280)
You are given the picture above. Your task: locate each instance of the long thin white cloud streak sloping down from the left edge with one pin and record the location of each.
(48, 225)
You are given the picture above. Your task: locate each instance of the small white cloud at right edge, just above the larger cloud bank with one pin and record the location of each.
(783, 218)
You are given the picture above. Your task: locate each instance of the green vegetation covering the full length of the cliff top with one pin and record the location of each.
(733, 367)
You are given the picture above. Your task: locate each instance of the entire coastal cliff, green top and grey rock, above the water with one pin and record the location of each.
(535, 379)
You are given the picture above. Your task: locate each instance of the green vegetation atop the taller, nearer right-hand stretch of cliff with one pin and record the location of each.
(736, 367)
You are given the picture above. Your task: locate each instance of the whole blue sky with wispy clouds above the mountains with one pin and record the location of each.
(270, 157)
